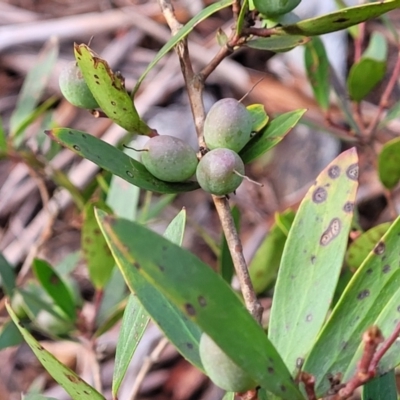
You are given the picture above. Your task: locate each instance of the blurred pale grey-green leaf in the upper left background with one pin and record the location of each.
(34, 86)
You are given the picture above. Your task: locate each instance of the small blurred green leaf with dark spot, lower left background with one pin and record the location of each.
(55, 287)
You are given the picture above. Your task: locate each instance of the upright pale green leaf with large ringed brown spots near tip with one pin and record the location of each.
(312, 259)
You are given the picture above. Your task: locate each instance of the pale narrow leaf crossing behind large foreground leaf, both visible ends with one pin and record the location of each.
(136, 318)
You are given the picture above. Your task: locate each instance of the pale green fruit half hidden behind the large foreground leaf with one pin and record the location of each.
(221, 369)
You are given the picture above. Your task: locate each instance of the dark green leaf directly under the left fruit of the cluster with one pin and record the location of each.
(115, 161)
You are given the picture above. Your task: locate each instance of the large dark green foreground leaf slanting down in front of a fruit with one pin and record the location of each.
(202, 296)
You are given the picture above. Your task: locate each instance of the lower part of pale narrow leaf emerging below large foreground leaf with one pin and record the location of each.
(134, 324)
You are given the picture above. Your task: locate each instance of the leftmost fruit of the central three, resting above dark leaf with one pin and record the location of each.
(169, 158)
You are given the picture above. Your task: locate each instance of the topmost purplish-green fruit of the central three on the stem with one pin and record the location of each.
(228, 124)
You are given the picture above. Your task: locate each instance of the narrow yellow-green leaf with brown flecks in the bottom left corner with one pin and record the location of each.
(76, 387)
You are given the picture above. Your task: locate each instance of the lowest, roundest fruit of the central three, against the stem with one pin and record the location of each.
(216, 172)
